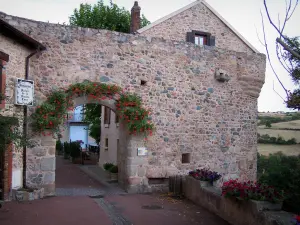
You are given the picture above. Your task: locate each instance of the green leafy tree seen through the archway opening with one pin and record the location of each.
(92, 116)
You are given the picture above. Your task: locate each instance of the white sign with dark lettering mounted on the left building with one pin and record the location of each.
(24, 92)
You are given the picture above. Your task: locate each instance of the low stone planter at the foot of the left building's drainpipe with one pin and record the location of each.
(27, 194)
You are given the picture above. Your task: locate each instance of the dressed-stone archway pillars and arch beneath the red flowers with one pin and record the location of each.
(132, 168)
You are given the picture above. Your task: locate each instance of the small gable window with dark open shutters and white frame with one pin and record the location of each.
(200, 38)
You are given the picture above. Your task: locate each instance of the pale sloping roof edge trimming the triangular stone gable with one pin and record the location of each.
(211, 9)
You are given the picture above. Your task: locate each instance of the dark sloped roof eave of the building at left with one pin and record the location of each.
(8, 30)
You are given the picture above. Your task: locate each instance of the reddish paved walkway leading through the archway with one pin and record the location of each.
(111, 207)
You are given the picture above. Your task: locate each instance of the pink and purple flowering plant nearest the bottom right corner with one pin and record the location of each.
(251, 190)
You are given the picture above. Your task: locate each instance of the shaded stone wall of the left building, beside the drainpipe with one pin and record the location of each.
(14, 69)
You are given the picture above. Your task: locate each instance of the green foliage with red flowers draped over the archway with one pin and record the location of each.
(50, 115)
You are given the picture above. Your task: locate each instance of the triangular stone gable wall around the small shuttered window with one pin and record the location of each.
(199, 18)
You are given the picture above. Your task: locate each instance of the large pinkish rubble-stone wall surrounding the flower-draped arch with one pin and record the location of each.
(214, 122)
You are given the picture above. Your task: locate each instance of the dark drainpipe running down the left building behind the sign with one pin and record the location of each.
(25, 126)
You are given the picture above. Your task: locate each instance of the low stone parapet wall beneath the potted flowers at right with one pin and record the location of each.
(235, 211)
